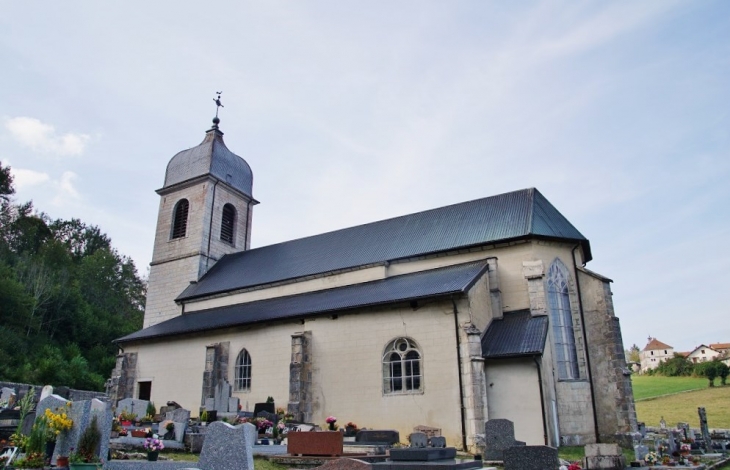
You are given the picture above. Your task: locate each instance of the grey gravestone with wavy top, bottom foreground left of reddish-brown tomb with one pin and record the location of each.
(227, 447)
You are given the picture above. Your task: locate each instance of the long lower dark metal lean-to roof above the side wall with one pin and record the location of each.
(408, 287)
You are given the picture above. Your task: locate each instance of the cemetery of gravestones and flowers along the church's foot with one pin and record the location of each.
(48, 430)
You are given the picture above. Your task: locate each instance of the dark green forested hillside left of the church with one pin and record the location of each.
(65, 294)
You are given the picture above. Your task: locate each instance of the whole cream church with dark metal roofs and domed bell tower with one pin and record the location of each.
(444, 318)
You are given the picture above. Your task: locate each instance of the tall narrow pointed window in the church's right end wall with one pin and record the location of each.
(561, 318)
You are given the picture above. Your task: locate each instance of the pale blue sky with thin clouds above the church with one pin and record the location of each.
(351, 112)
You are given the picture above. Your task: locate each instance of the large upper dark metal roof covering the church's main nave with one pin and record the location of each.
(509, 216)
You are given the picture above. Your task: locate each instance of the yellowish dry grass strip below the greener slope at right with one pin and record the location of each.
(683, 408)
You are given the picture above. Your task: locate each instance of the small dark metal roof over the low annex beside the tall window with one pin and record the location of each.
(516, 334)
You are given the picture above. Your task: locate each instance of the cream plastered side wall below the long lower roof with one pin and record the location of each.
(346, 373)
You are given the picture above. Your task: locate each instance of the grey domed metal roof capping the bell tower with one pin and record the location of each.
(211, 157)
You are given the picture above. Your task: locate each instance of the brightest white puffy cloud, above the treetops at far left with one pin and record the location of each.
(42, 137)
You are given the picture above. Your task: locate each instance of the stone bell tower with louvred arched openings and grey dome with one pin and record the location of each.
(205, 212)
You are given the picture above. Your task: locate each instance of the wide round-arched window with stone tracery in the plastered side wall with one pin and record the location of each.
(402, 367)
